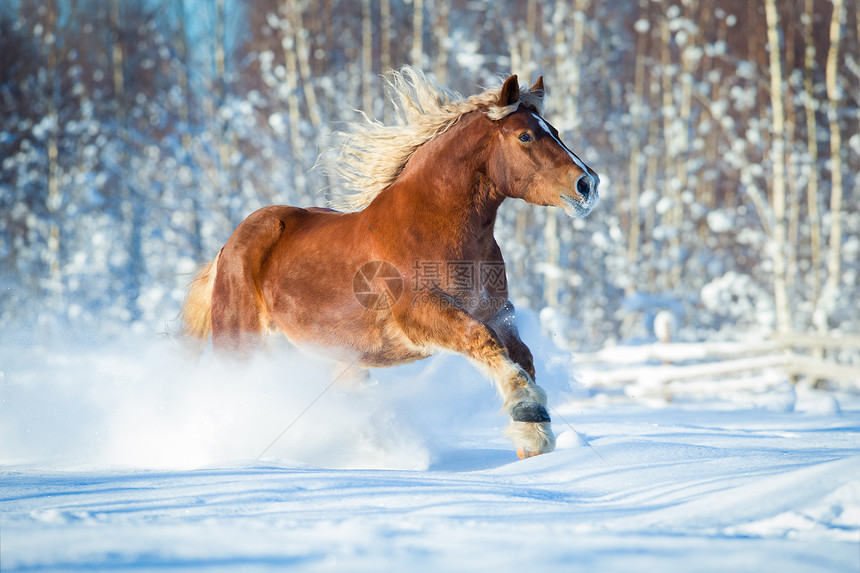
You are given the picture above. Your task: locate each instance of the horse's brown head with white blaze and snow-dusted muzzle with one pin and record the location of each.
(532, 163)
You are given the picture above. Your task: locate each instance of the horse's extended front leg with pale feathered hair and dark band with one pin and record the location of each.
(437, 319)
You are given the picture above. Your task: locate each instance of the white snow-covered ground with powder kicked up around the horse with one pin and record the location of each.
(131, 456)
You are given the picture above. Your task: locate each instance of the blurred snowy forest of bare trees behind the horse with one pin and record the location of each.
(136, 134)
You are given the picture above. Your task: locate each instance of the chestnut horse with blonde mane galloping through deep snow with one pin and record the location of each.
(408, 265)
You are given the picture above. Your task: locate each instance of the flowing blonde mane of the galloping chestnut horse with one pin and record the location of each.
(372, 154)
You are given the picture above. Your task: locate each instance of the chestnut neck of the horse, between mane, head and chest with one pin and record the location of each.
(443, 191)
